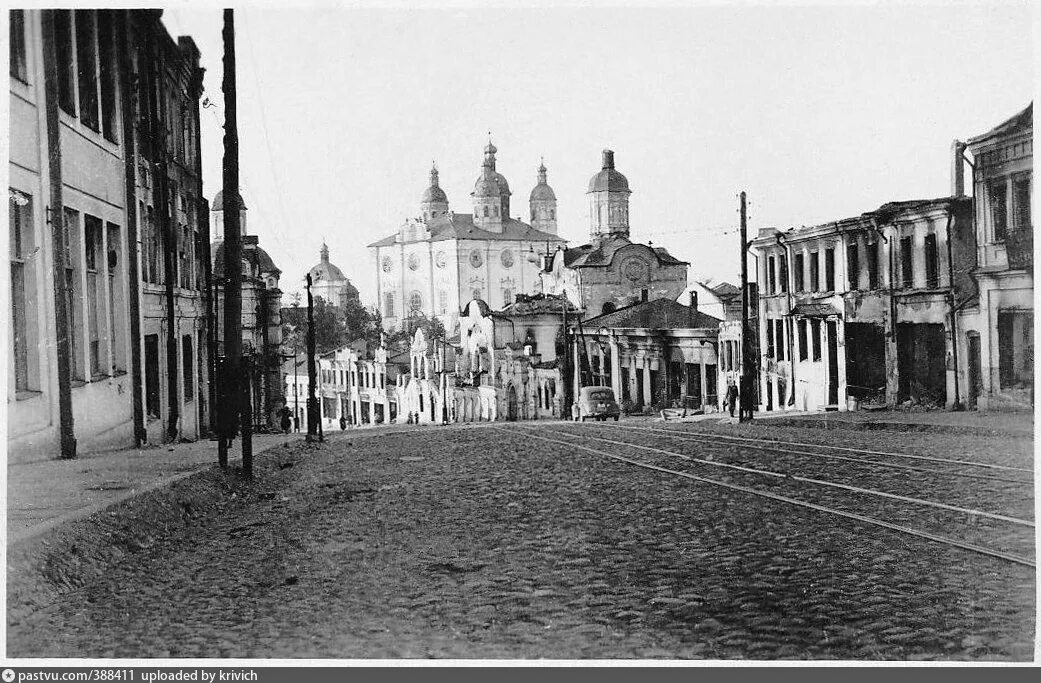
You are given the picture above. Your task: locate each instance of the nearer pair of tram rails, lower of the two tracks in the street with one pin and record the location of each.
(529, 433)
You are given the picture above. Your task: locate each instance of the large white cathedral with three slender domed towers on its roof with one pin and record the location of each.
(438, 263)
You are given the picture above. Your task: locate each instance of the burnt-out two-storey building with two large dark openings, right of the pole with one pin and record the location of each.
(865, 308)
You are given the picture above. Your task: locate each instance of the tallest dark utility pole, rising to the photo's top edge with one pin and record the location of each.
(236, 388)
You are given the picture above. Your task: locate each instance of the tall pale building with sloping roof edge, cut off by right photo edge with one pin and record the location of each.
(998, 326)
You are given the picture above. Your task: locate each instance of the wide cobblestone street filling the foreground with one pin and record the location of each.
(493, 542)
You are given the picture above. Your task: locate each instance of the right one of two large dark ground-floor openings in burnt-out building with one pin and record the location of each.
(921, 361)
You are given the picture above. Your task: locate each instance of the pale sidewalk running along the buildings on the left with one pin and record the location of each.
(47, 494)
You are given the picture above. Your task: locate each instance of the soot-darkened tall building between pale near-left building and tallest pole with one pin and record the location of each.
(173, 230)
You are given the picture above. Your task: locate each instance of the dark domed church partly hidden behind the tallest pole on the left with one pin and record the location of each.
(262, 301)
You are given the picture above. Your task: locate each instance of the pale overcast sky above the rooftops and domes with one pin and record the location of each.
(818, 113)
